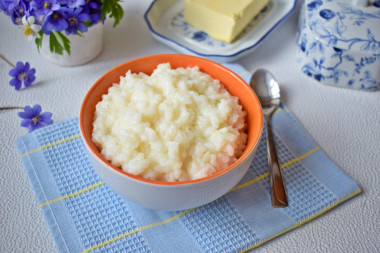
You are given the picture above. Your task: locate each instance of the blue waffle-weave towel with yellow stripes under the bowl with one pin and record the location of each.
(85, 215)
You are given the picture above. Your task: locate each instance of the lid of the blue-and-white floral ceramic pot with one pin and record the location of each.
(345, 24)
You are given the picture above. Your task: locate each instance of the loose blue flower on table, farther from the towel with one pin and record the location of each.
(22, 73)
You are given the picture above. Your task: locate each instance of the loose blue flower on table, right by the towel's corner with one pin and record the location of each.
(33, 119)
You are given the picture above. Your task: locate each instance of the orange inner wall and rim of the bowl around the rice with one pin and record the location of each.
(233, 83)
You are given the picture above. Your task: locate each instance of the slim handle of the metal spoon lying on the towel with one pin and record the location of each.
(276, 183)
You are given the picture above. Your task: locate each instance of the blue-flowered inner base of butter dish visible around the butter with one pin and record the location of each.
(190, 32)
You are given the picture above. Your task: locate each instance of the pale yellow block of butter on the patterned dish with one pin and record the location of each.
(222, 19)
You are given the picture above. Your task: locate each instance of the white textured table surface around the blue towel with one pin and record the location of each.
(345, 123)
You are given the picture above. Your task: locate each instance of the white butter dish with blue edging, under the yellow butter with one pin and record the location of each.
(166, 23)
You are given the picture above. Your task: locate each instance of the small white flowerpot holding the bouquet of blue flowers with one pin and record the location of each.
(83, 48)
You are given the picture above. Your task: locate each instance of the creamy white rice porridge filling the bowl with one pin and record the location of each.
(174, 125)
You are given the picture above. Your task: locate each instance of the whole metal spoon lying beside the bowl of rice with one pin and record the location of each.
(268, 91)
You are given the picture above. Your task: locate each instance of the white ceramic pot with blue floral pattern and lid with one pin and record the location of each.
(339, 44)
